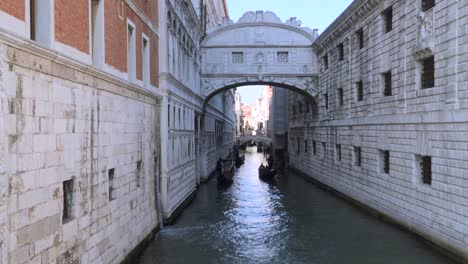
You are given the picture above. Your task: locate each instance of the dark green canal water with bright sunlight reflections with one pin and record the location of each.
(290, 221)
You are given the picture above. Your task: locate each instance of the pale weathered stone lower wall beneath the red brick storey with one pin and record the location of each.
(60, 120)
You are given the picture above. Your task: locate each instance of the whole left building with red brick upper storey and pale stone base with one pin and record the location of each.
(79, 125)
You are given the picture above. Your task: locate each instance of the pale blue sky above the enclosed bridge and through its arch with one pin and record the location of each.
(313, 14)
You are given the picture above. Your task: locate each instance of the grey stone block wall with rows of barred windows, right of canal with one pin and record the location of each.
(412, 121)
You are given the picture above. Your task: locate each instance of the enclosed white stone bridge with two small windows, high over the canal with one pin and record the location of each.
(259, 49)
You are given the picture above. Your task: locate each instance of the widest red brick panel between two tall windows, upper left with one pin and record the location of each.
(72, 23)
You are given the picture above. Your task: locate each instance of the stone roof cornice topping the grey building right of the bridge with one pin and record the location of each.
(347, 20)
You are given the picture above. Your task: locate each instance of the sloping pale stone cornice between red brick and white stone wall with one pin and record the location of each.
(84, 74)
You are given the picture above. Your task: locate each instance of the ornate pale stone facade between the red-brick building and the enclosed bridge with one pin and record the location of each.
(193, 134)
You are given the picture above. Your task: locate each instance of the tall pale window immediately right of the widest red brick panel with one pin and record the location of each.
(97, 32)
